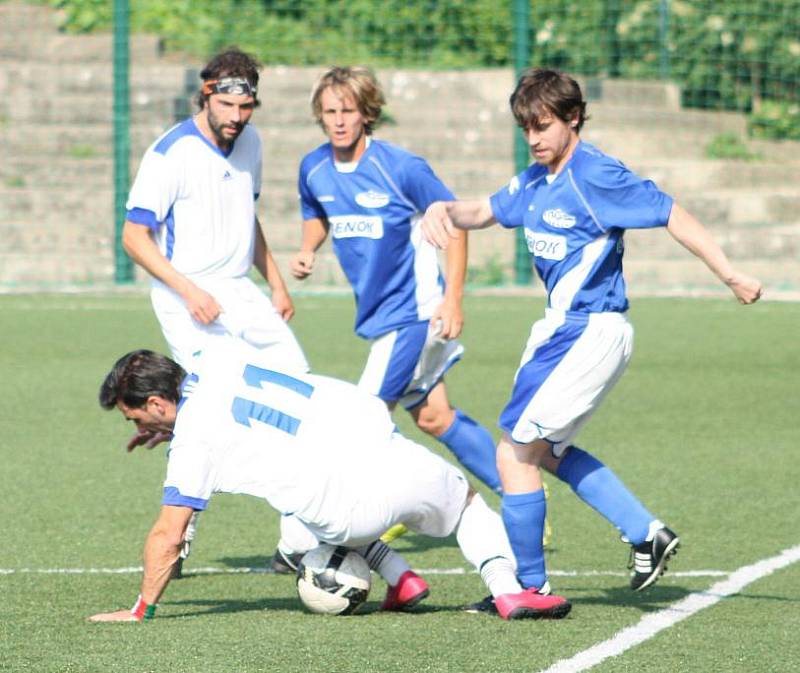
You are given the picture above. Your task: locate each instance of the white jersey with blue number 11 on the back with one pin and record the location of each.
(304, 443)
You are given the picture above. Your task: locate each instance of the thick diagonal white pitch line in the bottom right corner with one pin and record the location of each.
(651, 624)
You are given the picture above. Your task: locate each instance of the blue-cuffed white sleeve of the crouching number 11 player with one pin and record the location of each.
(190, 478)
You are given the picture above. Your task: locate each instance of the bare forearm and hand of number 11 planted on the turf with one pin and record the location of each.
(161, 551)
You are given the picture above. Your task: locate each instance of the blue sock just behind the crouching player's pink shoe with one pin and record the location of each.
(523, 516)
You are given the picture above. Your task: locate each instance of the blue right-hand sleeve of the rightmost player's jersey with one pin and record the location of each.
(618, 198)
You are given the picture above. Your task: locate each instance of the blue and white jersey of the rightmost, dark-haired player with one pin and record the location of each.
(574, 224)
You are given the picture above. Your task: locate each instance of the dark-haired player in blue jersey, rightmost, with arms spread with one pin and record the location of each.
(574, 204)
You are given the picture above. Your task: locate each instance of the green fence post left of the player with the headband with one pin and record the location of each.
(123, 266)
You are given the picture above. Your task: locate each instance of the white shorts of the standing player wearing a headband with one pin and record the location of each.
(248, 314)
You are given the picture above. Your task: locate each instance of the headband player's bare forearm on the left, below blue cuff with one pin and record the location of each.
(139, 244)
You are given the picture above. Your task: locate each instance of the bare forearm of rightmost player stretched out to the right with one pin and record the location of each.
(692, 235)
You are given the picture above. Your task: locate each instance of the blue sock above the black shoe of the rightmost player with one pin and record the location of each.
(599, 487)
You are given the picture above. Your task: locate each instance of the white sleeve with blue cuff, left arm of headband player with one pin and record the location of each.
(154, 191)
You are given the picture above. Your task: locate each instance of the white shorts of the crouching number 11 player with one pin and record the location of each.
(412, 485)
